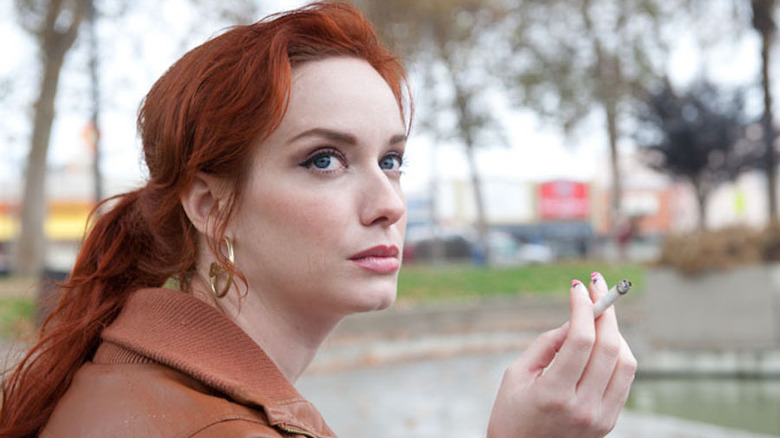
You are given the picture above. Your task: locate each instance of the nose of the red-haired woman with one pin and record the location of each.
(382, 202)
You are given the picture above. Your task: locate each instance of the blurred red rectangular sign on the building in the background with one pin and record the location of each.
(564, 200)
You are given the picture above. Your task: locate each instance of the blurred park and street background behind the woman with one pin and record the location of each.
(550, 139)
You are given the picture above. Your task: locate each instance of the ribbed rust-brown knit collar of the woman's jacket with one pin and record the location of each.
(180, 331)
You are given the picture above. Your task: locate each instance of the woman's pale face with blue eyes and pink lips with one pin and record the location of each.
(320, 227)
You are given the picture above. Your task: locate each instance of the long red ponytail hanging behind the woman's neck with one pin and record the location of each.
(113, 261)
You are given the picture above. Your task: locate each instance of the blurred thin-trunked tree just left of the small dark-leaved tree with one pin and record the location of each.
(574, 58)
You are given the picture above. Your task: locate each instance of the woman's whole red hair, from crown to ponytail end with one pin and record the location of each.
(205, 114)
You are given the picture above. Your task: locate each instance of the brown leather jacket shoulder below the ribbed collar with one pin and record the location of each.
(130, 400)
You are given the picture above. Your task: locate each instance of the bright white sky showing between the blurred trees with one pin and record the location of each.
(536, 151)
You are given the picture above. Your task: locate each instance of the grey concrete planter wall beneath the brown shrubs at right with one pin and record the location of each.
(737, 308)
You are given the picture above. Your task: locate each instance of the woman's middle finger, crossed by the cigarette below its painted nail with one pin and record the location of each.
(606, 350)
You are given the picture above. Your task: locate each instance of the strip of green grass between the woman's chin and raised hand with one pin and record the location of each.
(427, 283)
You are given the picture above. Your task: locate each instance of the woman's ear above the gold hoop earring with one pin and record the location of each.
(205, 196)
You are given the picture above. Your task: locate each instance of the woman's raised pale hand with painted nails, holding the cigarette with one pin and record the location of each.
(578, 394)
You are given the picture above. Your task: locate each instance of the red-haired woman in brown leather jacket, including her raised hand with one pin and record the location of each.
(273, 210)
